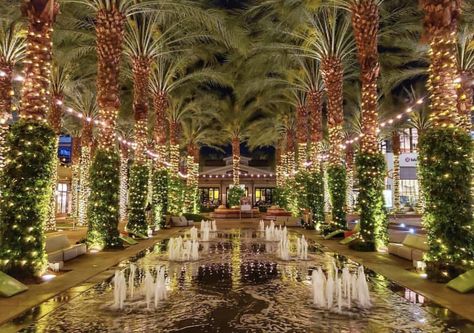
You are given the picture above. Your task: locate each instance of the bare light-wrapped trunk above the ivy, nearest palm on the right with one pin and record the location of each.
(440, 23)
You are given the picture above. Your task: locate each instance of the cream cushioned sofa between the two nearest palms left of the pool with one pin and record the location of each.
(59, 248)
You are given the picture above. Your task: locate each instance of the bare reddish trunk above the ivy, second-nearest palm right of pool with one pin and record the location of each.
(365, 21)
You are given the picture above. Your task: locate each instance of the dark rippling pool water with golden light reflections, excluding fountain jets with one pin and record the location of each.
(239, 285)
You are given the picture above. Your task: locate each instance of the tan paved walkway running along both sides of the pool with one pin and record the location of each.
(95, 267)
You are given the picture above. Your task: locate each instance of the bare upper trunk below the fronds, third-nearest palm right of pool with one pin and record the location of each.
(333, 75)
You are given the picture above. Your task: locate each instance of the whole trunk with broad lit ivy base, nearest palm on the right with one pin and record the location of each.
(445, 150)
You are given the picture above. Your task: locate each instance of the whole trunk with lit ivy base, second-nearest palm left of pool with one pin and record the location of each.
(103, 210)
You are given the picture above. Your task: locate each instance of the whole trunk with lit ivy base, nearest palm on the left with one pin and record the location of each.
(26, 180)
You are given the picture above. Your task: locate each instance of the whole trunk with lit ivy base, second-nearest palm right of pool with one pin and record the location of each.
(370, 162)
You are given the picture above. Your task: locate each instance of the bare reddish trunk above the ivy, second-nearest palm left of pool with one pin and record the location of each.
(109, 30)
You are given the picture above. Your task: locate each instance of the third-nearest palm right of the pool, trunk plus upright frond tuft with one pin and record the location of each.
(332, 43)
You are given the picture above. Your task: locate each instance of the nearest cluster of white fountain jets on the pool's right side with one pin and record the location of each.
(342, 291)
